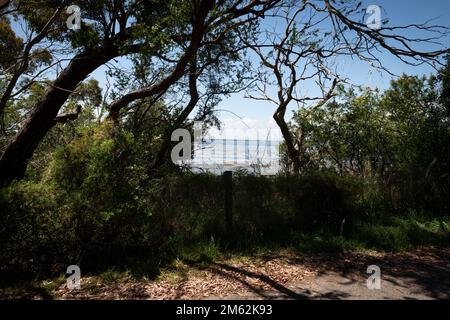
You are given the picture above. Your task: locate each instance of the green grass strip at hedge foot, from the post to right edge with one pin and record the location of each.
(390, 234)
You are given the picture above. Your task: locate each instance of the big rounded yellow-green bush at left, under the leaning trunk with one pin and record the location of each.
(91, 208)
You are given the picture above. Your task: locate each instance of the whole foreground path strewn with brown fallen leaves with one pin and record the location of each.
(422, 274)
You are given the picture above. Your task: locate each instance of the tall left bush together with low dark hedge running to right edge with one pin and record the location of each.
(96, 206)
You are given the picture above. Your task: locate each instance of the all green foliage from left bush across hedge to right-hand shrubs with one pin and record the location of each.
(372, 161)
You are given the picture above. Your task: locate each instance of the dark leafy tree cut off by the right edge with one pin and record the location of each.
(418, 107)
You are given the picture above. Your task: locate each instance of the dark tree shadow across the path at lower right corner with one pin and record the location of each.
(425, 271)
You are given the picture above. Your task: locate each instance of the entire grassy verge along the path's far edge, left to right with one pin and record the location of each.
(393, 234)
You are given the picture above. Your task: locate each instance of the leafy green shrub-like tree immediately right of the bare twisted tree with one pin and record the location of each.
(351, 135)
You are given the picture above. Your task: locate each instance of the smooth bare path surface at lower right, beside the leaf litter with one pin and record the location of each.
(423, 274)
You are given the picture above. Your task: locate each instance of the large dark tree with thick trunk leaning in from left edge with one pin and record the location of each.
(118, 28)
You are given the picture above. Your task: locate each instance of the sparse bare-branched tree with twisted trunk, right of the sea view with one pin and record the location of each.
(313, 35)
